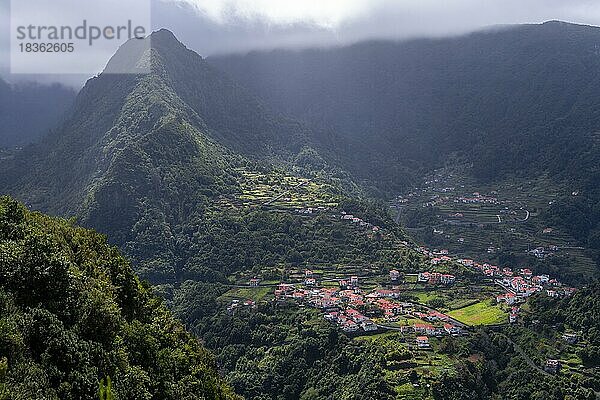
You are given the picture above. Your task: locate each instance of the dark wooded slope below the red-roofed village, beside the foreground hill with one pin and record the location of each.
(284, 354)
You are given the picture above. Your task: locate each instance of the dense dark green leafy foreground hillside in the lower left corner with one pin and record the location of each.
(72, 313)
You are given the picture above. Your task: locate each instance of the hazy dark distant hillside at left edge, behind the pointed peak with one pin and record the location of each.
(30, 111)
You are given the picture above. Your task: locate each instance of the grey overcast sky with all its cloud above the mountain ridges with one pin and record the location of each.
(225, 26)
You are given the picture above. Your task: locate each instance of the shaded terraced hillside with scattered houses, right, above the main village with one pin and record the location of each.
(503, 223)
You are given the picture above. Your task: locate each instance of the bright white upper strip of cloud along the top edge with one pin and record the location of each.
(421, 15)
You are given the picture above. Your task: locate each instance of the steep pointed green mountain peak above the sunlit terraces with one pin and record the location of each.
(153, 147)
